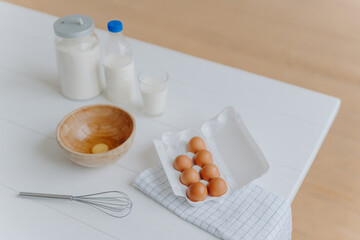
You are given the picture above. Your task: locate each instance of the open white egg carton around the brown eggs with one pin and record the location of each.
(234, 151)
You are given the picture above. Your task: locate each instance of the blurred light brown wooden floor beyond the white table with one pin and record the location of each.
(314, 44)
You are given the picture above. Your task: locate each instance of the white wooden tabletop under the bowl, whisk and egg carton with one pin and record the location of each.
(289, 124)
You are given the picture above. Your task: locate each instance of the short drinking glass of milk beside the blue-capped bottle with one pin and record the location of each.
(153, 86)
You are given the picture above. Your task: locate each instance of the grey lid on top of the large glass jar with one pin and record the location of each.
(74, 26)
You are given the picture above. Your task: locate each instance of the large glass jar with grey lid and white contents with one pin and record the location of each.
(78, 57)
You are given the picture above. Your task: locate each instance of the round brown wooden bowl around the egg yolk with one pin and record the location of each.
(85, 127)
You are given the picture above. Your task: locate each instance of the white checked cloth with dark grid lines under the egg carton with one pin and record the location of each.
(249, 213)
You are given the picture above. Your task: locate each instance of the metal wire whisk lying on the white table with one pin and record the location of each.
(113, 203)
